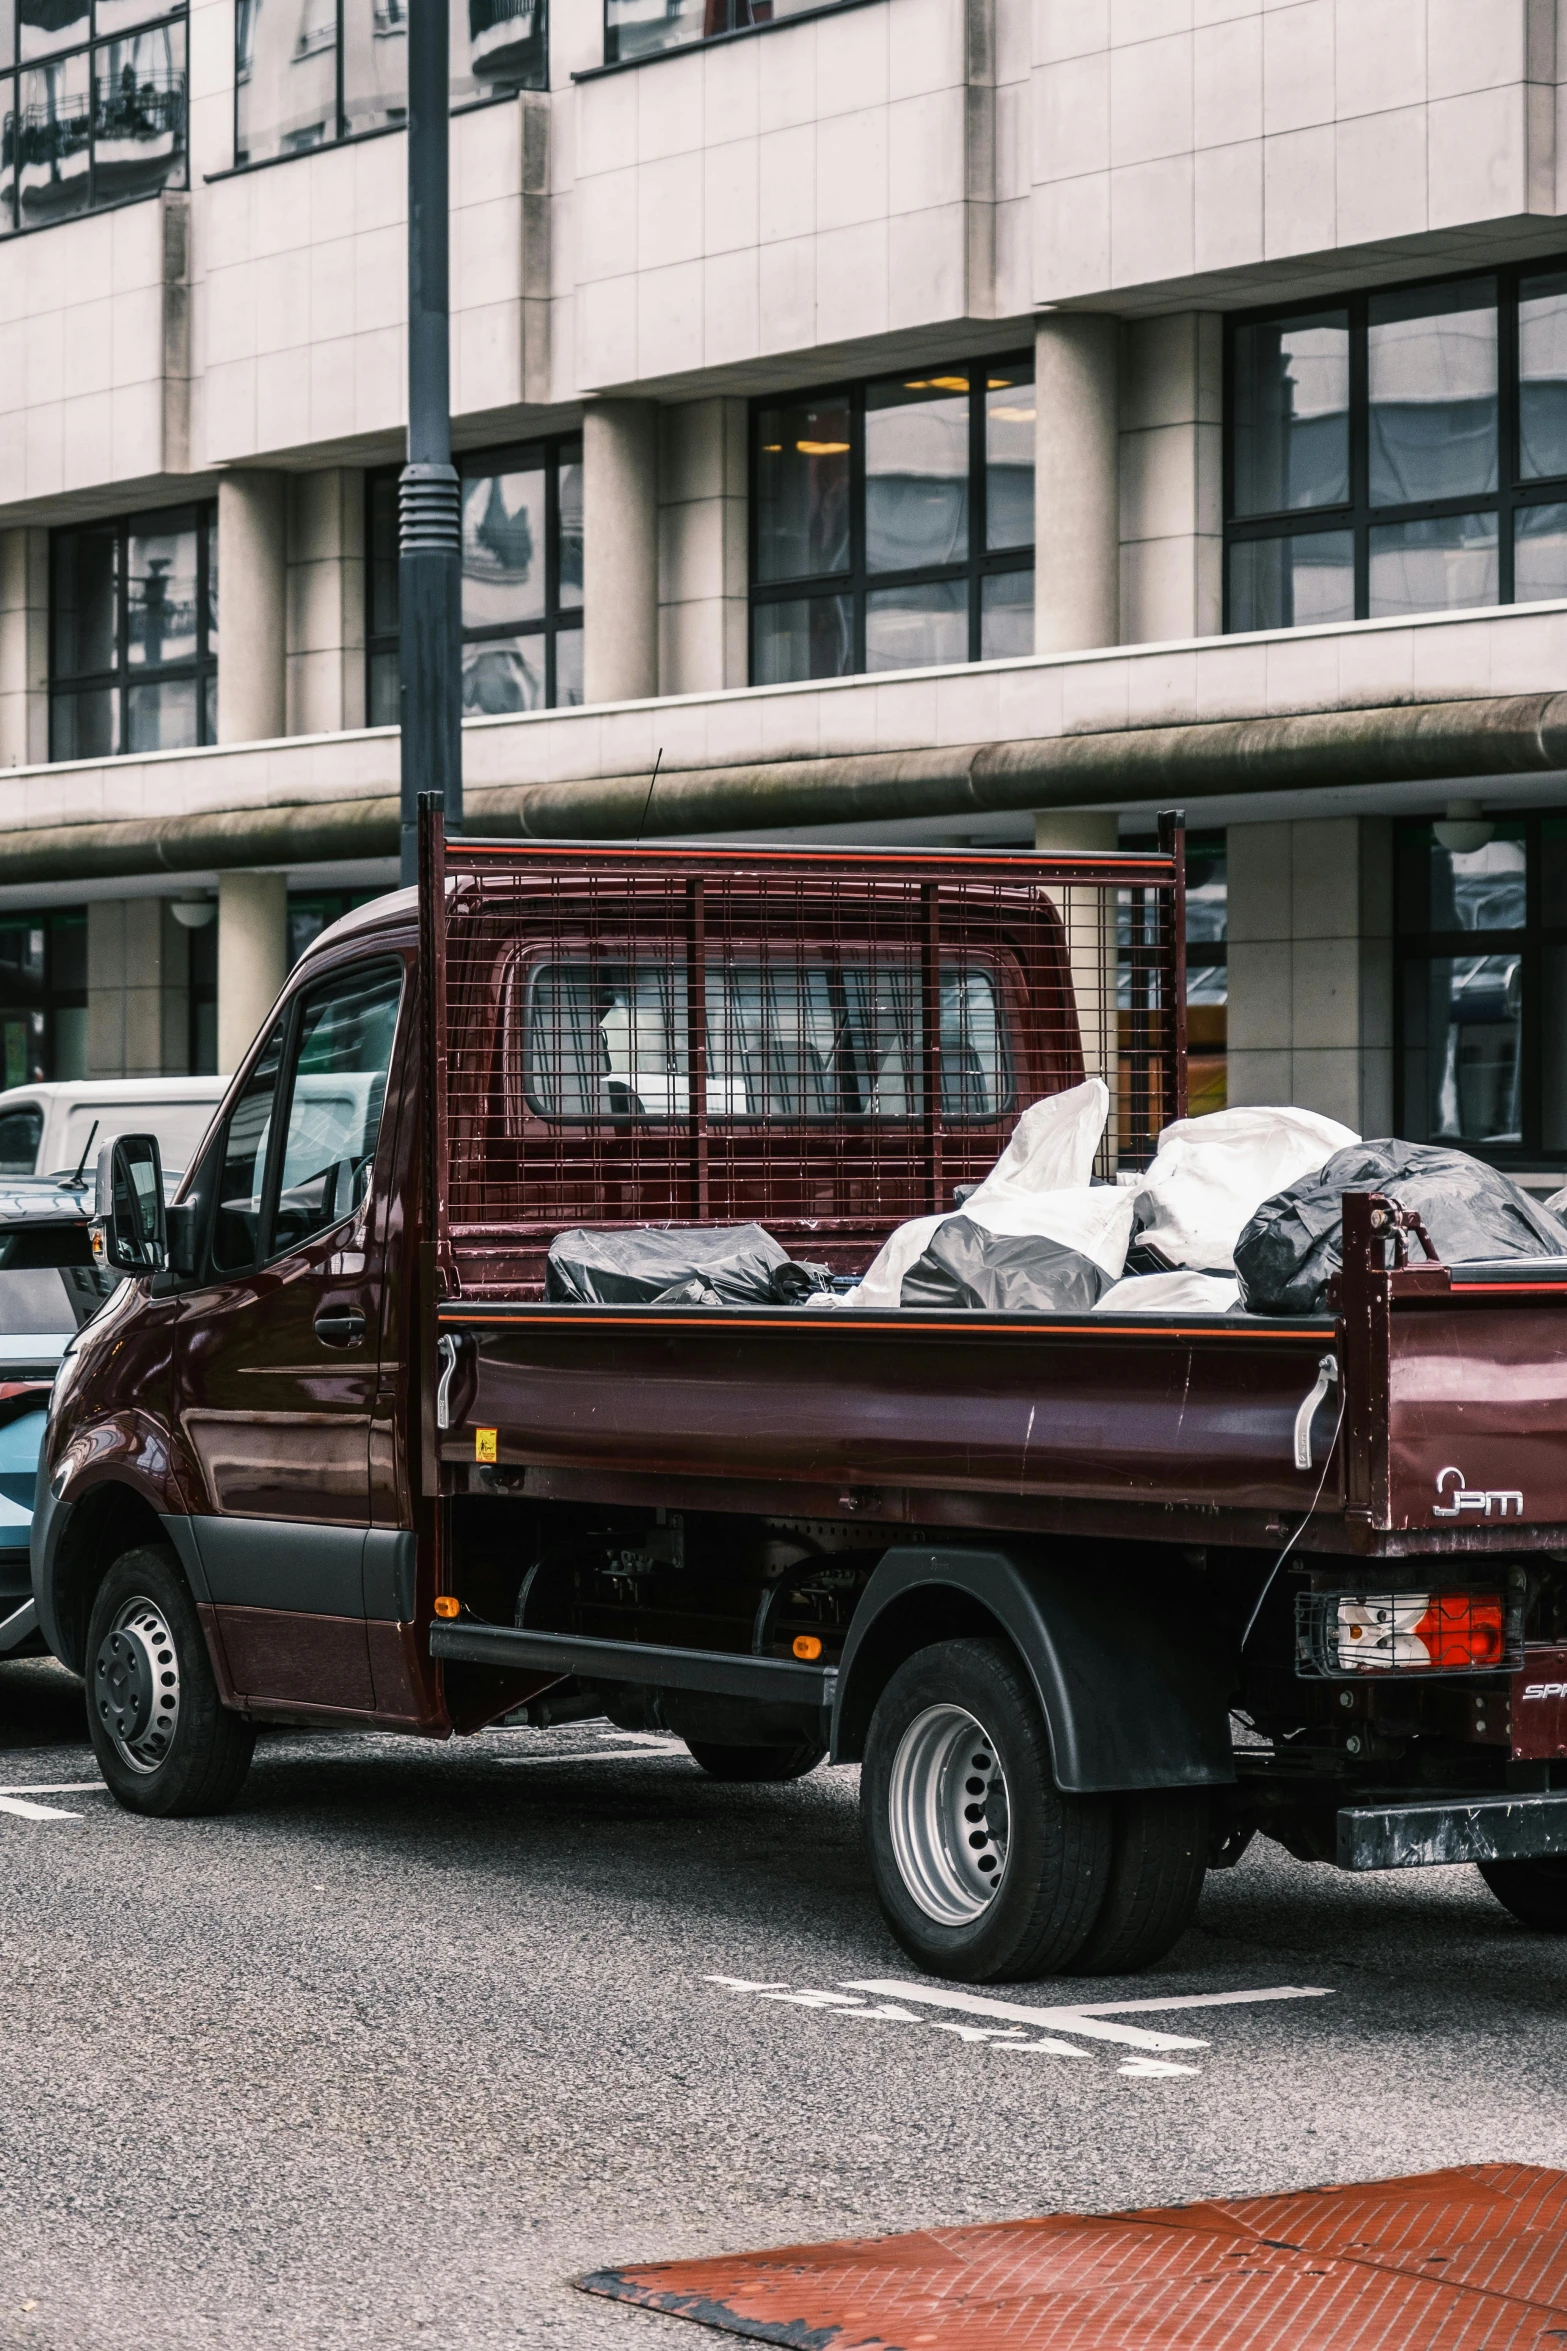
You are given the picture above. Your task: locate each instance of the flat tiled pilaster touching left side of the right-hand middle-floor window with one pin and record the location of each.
(1171, 478)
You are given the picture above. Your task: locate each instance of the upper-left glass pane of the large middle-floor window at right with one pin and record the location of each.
(1291, 415)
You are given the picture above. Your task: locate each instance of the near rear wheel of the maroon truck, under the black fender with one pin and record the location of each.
(1056, 1851)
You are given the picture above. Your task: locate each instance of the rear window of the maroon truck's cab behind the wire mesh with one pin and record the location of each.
(786, 1043)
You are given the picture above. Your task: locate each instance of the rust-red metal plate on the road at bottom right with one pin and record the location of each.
(1465, 2260)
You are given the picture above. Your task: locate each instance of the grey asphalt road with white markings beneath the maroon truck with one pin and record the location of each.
(417, 2035)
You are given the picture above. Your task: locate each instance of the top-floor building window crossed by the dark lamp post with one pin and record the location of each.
(314, 72)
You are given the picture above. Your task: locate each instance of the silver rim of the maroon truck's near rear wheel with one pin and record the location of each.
(948, 1814)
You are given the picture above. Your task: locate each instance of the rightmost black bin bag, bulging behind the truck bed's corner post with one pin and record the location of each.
(1296, 1243)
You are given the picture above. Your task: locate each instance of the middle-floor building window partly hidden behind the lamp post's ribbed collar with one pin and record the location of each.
(523, 582)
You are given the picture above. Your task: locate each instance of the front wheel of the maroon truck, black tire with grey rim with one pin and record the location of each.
(163, 1739)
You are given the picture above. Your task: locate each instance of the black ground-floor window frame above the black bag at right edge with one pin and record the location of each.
(1418, 944)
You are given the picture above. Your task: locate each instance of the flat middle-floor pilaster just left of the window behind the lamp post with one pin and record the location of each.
(325, 664)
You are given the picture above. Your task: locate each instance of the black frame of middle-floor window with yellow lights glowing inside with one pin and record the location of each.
(859, 582)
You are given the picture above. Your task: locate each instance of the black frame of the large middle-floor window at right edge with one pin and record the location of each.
(1357, 514)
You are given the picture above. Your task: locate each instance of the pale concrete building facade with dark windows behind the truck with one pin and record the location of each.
(917, 420)
